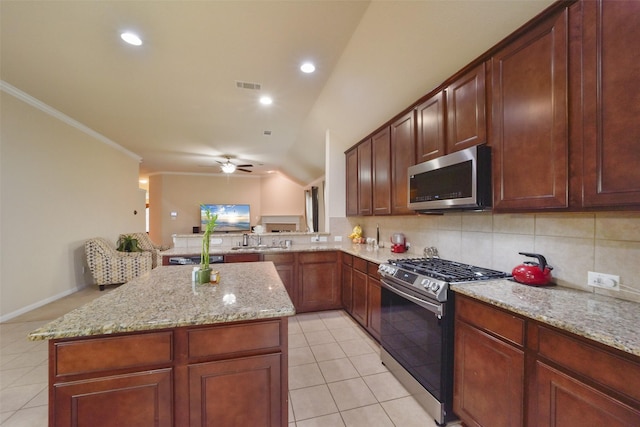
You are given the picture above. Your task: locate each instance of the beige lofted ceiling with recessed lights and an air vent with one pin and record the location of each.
(175, 100)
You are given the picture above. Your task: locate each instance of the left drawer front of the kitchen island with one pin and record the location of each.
(105, 354)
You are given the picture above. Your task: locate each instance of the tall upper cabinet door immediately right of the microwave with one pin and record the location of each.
(529, 119)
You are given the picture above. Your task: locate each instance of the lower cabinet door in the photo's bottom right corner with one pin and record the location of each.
(564, 401)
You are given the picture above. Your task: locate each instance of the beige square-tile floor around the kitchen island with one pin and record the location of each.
(335, 374)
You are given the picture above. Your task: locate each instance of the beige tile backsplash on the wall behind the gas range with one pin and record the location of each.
(573, 243)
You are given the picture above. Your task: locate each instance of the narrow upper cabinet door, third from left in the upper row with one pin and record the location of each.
(381, 160)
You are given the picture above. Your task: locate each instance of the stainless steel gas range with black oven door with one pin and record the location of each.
(417, 326)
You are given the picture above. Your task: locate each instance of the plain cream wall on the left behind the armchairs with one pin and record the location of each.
(59, 186)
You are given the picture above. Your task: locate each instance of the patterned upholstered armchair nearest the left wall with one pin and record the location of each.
(109, 266)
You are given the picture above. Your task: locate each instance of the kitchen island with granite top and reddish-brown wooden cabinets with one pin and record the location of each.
(162, 351)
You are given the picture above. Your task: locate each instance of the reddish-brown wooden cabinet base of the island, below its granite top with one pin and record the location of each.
(232, 374)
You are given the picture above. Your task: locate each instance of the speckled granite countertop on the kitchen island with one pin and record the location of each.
(166, 298)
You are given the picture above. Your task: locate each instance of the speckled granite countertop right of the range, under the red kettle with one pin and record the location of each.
(607, 320)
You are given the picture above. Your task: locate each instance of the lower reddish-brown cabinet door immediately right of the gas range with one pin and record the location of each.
(488, 379)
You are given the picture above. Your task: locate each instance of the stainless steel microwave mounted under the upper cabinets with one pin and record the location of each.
(460, 180)
